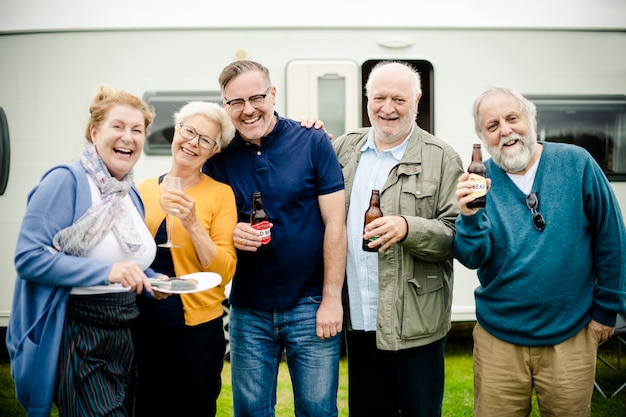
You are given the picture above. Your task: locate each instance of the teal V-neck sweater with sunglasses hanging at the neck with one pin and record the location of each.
(541, 288)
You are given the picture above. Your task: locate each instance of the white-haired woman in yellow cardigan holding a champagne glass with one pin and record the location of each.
(180, 340)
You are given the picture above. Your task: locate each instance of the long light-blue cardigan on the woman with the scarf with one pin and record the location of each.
(44, 281)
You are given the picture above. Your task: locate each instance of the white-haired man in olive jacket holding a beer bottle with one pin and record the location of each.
(399, 298)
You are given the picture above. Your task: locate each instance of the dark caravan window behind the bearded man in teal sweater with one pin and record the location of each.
(597, 123)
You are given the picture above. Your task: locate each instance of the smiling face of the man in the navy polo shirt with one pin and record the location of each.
(251, 123)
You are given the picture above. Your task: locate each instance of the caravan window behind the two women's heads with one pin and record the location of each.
(165, 104)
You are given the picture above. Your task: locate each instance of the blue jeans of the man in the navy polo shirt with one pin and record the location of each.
(257, 340)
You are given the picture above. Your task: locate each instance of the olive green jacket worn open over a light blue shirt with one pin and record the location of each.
(415, 275)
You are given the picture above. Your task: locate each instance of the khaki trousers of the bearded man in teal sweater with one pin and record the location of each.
(562, 376)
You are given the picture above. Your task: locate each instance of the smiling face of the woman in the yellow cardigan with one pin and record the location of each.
(189, 153)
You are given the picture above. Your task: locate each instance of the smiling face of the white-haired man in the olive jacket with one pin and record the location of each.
(392, 104)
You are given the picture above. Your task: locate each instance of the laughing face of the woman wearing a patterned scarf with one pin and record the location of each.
(119, 139)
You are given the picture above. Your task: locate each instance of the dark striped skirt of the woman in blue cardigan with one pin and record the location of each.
(95, 370)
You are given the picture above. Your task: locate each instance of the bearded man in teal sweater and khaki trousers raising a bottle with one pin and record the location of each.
(549, 247)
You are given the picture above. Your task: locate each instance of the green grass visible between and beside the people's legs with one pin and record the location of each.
(458, 396)
